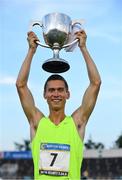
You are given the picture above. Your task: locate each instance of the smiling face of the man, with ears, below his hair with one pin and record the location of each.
(56, 94)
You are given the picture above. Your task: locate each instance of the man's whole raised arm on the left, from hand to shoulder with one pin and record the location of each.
(32, 113)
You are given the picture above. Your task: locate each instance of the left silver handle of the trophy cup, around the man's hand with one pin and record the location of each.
(37, 23)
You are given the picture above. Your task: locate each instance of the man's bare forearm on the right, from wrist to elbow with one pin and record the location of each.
(93, 73)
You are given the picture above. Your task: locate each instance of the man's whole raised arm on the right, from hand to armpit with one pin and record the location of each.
(81, 115)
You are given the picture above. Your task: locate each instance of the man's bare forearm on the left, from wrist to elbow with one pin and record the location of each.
(25, 69)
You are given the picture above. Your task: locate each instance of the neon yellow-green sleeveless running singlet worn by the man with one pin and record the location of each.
(57, 150)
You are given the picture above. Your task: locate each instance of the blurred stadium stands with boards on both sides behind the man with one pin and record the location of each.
(97, 164)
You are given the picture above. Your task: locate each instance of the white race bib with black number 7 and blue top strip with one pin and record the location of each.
(54, 159)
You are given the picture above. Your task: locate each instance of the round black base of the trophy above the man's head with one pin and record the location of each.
(56, 65)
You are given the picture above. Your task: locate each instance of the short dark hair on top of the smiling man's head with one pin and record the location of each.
(56, 77)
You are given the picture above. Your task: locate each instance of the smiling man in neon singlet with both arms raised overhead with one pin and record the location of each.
(57, 140)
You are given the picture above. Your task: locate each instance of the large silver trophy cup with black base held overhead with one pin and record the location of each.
(57, 31)
